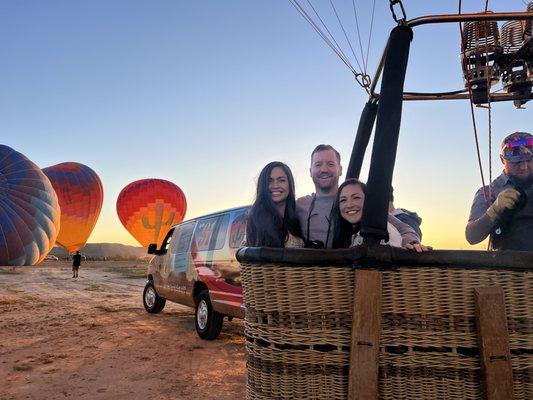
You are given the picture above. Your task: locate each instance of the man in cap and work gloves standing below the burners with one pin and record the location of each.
(505, 211)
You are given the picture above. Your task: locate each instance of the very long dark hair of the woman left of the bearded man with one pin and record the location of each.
(265, 226)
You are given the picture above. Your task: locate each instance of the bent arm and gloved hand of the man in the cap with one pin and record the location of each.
(479, 228)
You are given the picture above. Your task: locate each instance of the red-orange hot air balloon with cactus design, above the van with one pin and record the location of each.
(149, 207)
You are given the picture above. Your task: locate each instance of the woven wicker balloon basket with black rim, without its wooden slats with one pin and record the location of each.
(299, 318)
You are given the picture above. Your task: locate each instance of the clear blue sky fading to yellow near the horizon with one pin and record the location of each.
(205, 93)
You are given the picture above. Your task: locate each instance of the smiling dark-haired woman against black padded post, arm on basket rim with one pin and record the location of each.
(347, 212)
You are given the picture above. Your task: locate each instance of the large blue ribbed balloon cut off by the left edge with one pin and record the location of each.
(29, 210)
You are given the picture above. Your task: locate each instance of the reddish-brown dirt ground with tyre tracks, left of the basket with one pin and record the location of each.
(90, 338)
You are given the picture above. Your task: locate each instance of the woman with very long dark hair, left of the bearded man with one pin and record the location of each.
(272, 220)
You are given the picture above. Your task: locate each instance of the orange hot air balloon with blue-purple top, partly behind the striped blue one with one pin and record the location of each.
(80, 194)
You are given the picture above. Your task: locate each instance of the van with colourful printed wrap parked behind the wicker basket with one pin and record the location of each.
(196, 266)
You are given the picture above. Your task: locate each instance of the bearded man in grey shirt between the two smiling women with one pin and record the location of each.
(314, 210)
